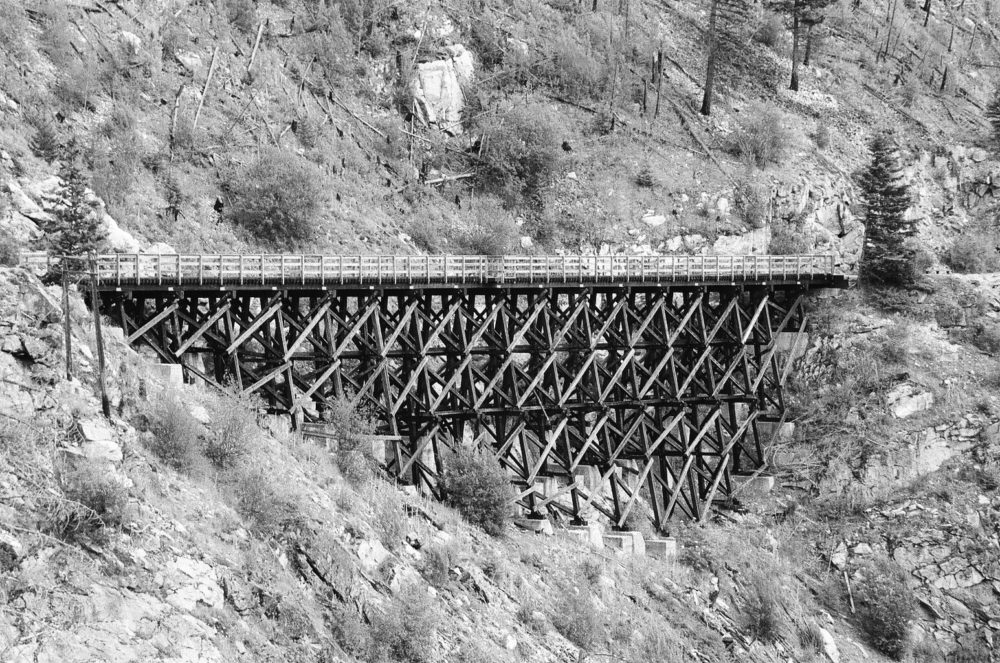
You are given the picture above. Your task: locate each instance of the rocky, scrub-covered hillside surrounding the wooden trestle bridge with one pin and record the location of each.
(483, 126)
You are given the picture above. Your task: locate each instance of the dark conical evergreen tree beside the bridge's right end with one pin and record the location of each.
(885, 258)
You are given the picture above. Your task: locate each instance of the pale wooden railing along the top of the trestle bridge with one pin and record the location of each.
(263, 269)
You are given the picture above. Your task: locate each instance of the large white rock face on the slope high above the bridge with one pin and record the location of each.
(437, 89)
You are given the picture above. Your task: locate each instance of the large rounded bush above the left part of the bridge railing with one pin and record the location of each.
(278, 198)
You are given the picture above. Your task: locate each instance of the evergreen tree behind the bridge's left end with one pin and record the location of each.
(78, 228)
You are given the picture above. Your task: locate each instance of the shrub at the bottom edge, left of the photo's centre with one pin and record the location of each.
(407, 630)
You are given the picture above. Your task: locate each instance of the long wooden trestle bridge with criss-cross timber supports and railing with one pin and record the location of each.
(604, 379)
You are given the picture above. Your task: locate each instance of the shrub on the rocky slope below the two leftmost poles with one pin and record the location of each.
(93, 499)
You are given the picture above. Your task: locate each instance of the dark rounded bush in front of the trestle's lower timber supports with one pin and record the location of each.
(474, 483)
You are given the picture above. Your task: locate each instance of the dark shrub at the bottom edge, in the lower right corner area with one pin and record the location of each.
(885, 606)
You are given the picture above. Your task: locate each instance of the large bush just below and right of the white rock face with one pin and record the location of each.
(520, 156)
